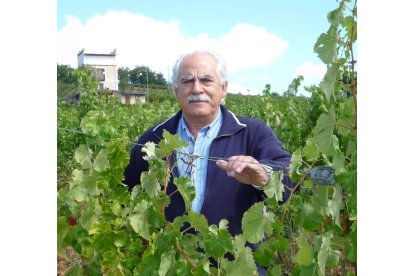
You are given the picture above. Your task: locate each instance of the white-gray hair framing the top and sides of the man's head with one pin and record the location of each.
(221, 66)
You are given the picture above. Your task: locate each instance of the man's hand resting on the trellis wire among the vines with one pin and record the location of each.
(245, 169)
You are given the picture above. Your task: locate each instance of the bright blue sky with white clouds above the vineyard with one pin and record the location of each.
(263, 42)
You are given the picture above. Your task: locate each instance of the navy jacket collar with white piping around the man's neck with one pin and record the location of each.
(230, 126)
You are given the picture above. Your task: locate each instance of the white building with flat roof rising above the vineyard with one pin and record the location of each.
(105, 63)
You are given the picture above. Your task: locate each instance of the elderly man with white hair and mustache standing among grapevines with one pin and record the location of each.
(224, 189)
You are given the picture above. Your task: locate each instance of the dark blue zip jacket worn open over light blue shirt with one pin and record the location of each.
(225, 197)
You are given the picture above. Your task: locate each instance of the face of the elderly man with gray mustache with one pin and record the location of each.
(199, 90)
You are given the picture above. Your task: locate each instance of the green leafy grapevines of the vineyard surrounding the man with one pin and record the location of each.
(105, 229)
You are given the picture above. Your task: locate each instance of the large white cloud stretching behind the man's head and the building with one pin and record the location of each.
(141, 40)
